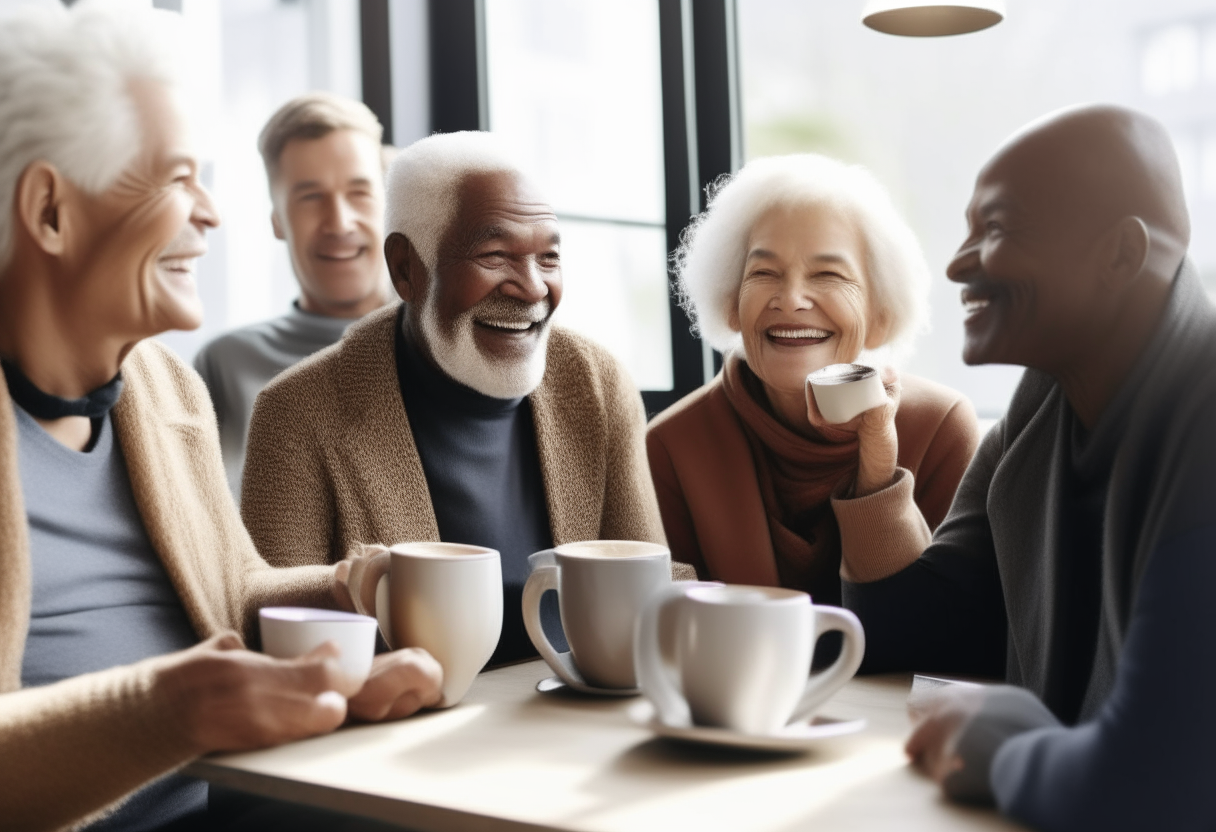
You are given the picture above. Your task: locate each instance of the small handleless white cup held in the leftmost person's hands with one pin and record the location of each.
(292, 632)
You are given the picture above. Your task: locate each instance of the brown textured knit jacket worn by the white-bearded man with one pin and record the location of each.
(333, 463)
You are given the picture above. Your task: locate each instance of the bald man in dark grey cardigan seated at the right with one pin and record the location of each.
(1079, 556)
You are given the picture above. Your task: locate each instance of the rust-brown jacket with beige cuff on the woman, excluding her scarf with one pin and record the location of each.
(711, 499)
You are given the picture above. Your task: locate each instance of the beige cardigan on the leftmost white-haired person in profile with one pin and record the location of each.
(71, 751)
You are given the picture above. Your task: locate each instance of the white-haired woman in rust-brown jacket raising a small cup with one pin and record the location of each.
(802, 262)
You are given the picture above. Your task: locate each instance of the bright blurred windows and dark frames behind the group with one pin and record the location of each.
(627, 109)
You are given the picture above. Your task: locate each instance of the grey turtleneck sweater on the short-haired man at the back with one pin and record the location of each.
(239, 364)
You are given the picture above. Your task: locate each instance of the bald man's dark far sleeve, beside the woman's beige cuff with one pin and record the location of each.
(945, 611)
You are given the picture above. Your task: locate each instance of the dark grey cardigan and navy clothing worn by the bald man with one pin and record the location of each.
(989, 595)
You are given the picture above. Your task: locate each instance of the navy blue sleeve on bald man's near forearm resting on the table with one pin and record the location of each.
(1146, 762)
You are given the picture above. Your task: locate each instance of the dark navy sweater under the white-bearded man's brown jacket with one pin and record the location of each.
(483, 475)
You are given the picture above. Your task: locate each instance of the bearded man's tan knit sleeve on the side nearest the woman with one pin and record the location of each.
(630, 510)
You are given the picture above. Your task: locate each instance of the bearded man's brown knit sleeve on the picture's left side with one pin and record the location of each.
(286, 498)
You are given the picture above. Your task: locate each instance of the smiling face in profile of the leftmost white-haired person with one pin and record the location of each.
(137, 244)
